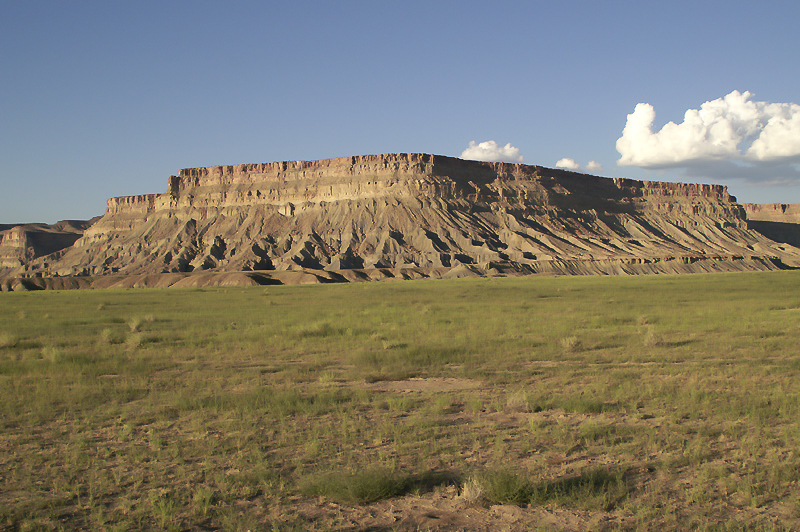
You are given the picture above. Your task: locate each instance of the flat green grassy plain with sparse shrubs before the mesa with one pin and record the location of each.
(541, 403)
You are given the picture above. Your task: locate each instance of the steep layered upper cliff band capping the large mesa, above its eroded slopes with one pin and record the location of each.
(412, 175)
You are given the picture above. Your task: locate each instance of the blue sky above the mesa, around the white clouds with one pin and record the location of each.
(101, 99)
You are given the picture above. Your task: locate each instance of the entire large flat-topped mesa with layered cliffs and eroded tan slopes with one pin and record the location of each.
(416, 211)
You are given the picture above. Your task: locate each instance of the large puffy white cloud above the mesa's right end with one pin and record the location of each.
(730, 129)
